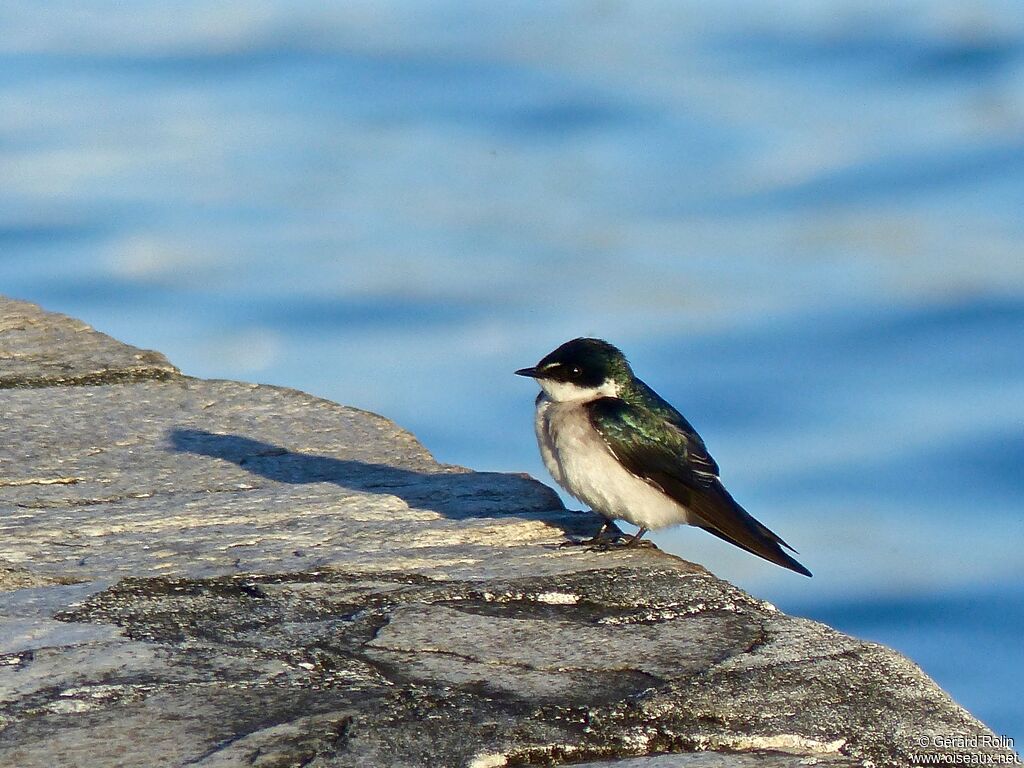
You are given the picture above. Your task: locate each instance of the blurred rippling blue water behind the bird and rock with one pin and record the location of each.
(802, 222)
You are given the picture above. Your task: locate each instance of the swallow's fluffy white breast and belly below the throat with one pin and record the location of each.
(581, 462)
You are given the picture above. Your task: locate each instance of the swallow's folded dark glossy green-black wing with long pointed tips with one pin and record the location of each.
(659, 446)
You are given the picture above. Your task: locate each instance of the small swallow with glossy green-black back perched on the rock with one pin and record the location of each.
(617, 446)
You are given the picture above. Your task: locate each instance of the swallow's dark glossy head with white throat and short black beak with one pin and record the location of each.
(582, 370)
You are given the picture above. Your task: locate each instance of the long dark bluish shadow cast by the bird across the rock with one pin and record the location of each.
(454, 495)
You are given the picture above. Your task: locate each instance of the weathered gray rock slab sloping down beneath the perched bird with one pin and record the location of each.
(215, 574)
